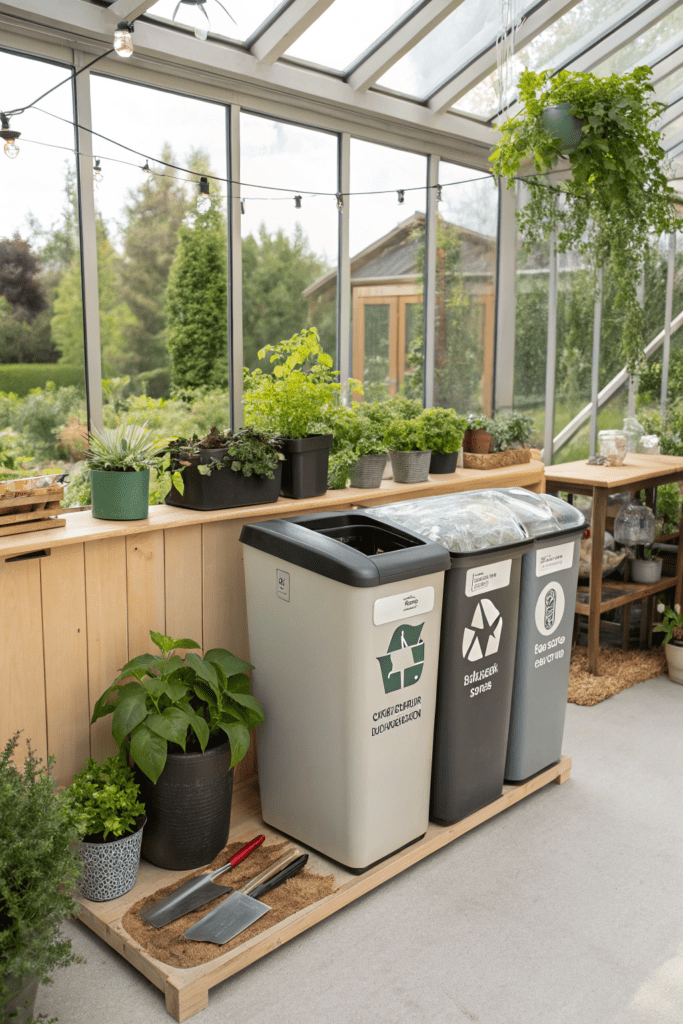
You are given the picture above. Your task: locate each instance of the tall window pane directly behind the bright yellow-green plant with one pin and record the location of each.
(289, 251)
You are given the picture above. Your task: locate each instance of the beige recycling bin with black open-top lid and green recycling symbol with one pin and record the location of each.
(345, 619)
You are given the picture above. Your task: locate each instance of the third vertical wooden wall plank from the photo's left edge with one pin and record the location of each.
(107, 611)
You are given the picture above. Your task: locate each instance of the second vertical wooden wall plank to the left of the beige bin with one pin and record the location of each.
(184, 583)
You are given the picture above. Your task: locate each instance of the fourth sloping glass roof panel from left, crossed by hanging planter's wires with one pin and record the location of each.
(578, 29)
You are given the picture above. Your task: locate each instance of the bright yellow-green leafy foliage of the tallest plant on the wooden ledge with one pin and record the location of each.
(300, 393)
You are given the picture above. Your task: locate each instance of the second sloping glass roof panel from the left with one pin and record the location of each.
(347, 30)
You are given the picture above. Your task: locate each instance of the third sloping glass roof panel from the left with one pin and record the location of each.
(471, 29)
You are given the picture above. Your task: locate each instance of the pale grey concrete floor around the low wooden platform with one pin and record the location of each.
(565, 910)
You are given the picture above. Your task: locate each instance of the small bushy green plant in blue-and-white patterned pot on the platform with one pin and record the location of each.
(105, 799)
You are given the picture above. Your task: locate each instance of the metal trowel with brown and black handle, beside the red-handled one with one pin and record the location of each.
(243, 909)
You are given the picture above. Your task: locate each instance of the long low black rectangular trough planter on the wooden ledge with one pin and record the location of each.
(224, 489)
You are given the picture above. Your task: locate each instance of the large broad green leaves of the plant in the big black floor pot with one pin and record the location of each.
(180, 701)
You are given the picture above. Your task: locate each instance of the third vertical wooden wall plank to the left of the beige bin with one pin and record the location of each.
(147, 591)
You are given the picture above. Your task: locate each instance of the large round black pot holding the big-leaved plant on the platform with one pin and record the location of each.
(189, 809)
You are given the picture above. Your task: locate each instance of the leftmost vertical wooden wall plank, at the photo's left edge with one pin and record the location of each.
(22, 691)
